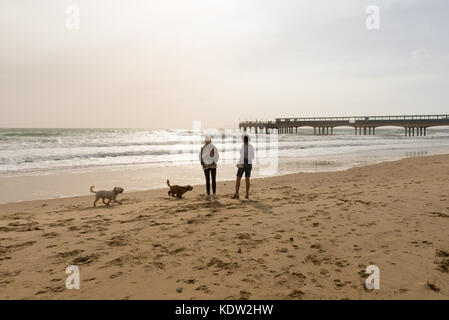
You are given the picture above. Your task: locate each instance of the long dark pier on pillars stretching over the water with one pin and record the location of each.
(414, 125)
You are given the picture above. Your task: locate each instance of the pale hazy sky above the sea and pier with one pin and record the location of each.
(157, 64)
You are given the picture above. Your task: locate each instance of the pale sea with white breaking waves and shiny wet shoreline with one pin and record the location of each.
(145, 158)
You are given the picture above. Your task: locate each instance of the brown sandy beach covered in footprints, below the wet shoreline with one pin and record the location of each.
(301, 236)
